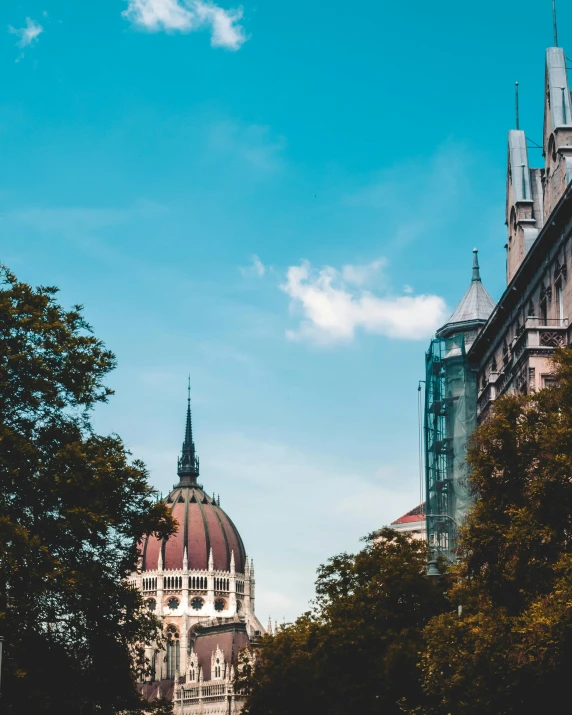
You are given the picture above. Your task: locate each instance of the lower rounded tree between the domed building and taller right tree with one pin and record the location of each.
(357, 651)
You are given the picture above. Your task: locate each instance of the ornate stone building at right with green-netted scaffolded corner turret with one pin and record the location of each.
(485, 350)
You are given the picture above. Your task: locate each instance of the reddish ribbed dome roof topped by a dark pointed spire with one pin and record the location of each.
(203, 526)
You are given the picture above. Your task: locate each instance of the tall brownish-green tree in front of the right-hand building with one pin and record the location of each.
(511, 650)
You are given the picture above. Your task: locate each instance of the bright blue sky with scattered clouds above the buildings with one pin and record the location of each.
(281, 200)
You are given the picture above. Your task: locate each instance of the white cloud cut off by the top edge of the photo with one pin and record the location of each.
(188, 16)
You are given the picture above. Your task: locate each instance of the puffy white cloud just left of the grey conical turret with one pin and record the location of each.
(332, 308)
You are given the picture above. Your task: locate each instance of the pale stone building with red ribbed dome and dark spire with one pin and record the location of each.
(200, 583)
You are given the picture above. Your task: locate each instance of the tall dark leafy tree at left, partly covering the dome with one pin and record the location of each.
(72, 508)
